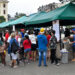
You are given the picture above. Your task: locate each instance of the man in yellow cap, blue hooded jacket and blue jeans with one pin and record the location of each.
(42, 46)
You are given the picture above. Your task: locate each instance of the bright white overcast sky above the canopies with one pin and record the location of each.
(26, 6)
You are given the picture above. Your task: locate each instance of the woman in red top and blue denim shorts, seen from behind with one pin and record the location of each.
(27, 46)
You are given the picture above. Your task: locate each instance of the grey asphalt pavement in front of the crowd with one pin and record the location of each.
(33, 69)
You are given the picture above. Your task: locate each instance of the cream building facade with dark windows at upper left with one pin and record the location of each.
(4, 9)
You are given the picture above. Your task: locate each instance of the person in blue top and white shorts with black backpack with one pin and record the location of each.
(13, 44)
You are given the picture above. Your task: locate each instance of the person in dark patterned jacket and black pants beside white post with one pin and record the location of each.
(53, 47)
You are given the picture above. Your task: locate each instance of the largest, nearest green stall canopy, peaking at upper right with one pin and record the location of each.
(66, 12)
